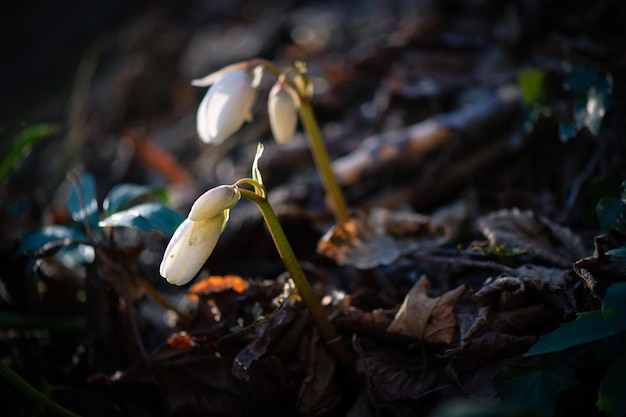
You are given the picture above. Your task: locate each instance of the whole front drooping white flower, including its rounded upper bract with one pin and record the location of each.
(196, 237)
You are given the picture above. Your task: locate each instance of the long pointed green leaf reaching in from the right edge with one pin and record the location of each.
(588, 327)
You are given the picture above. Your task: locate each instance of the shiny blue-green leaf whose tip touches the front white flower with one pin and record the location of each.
(147, 216)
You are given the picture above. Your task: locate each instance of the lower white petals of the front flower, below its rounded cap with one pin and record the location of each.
(190, 247)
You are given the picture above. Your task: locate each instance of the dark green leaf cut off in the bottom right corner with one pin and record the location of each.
(611, 398)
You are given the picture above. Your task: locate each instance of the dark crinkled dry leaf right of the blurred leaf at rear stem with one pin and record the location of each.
(540, 236)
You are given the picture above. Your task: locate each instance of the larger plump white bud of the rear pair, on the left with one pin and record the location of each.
(226, 106)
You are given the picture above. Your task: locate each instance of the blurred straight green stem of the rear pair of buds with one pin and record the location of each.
(322, 161)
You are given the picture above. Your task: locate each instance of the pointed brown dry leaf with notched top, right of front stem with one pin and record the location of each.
(426, 318)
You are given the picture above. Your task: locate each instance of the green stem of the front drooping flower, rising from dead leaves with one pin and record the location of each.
(327, 330)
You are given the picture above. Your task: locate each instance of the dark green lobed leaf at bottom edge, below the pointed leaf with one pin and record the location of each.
(535, 388)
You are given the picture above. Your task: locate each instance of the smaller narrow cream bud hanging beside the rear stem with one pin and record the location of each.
(282, 109)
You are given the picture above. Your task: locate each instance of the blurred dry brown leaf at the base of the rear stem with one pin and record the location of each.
(377, 238)
